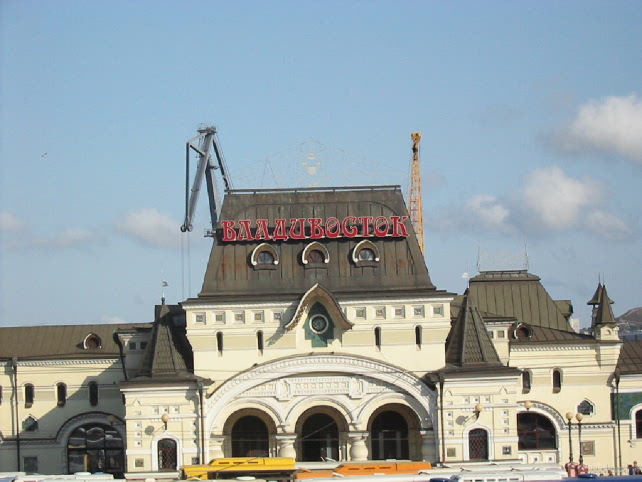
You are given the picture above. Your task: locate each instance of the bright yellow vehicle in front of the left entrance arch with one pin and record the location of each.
(268, 468)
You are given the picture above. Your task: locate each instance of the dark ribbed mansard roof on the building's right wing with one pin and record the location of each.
(520, 295)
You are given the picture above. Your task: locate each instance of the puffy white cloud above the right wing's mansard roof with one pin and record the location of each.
(557, 200)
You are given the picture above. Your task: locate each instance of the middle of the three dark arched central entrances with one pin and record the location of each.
(319, 438)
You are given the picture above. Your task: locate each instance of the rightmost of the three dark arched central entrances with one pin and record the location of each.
(389, 436)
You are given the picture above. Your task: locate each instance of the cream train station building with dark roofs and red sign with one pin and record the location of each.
(318, 334)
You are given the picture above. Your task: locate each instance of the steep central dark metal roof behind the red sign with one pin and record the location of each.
(401, 267)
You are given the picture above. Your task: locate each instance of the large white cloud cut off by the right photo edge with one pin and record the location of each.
(610, 124)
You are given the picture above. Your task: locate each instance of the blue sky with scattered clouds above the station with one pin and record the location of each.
(531, 114)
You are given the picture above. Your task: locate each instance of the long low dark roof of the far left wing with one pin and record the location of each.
(61, 341)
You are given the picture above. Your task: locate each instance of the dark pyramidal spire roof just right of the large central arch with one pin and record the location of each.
(469, 344)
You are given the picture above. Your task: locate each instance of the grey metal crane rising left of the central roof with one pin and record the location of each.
(203, 143)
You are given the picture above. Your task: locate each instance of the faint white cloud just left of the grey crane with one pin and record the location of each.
(151, 228)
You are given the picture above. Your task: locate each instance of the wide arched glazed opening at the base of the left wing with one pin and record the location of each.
(96, 448)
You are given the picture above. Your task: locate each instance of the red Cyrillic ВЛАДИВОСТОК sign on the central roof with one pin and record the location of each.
(315, 228)
